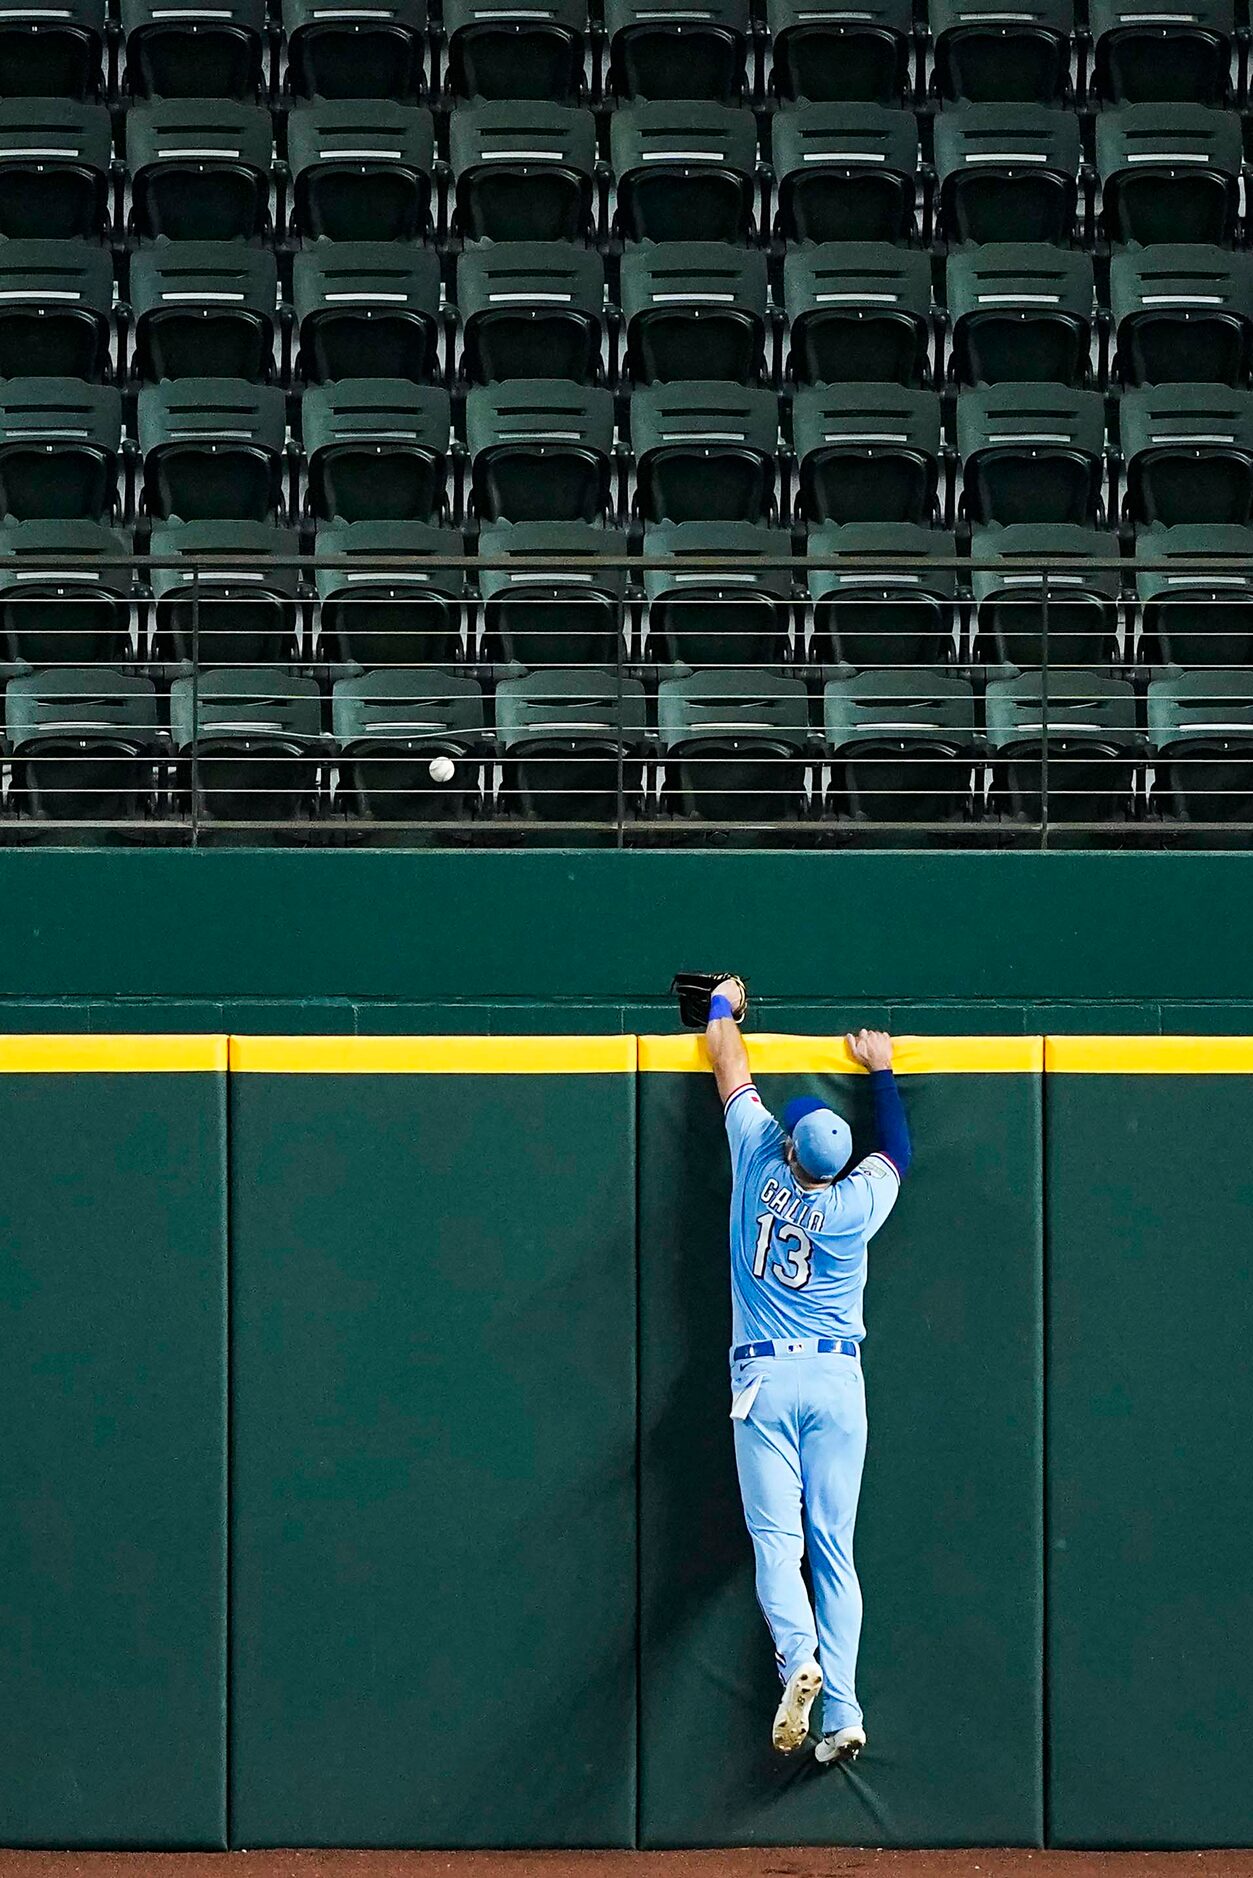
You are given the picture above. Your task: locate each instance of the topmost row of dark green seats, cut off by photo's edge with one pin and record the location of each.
(720, 52)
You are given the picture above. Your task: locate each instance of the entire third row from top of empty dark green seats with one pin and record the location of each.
(850, 313)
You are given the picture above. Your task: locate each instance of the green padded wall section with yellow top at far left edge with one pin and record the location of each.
(114, 1413)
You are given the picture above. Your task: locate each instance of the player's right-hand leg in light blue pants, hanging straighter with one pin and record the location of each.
(833, 1451)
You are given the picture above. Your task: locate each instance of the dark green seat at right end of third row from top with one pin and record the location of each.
(1183, 313)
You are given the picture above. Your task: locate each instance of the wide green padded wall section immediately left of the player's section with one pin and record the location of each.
(433, 1616)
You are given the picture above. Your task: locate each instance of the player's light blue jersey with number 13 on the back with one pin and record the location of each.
(797, 1257)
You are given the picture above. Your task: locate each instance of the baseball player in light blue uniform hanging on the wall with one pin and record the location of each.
(799, 1233)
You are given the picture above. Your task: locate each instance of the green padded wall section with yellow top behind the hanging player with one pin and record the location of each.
(950, 1533)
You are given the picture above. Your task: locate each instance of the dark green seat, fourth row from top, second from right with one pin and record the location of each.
(1032, 454)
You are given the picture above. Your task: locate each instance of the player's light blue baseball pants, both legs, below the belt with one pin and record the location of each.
(799, 1456)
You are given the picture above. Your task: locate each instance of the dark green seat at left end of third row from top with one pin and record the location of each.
(55, 309)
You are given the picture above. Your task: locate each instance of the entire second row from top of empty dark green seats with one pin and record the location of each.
(365, 170)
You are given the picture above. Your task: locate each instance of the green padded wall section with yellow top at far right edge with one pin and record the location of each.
(1151, 1404)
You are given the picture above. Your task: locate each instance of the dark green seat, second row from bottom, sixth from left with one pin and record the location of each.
(888, 598)
